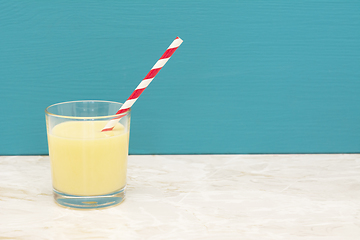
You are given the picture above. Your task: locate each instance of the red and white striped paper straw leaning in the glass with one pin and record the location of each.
(143, 84)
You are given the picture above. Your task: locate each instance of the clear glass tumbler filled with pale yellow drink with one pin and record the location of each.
(88, 166)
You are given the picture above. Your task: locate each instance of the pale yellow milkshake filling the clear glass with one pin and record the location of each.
(86, 161)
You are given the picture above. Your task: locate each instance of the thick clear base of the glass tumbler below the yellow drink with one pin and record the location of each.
(89, 202)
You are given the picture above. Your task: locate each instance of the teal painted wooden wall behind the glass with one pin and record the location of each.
(251, 76)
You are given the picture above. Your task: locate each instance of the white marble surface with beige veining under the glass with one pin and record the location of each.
(194, 197)
